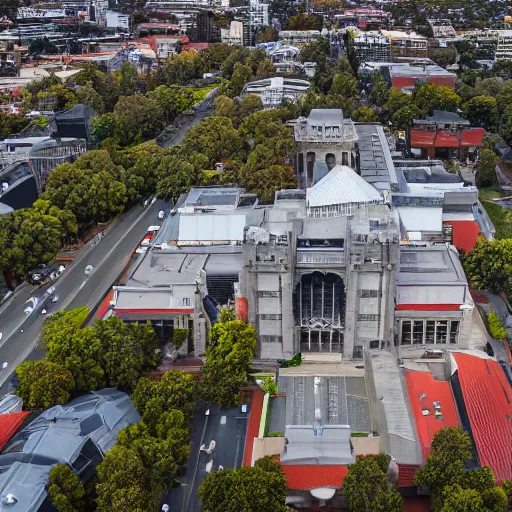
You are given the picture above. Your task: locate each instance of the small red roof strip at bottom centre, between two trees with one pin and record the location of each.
(305, 477)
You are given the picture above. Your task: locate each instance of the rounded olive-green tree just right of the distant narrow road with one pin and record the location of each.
(214, 137)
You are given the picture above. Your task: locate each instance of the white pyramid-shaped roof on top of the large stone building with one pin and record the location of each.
(341, 186)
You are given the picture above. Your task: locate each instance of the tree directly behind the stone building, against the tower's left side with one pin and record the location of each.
(265, 182)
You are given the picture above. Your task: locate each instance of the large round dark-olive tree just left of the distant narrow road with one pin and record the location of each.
(137, 116)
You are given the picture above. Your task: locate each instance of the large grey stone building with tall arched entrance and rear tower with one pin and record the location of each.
(357, 259)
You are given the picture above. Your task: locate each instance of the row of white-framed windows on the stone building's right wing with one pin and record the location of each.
(419, 332)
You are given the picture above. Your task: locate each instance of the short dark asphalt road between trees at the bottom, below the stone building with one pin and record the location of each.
(227, 427)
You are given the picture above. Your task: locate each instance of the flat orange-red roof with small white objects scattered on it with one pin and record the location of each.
(423, 383)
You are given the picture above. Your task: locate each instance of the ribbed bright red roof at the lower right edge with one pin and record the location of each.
(488, 398)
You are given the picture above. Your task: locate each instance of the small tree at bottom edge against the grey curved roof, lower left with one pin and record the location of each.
(65, 490)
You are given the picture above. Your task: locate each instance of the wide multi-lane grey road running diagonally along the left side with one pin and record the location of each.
(74, 288)
